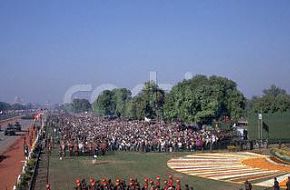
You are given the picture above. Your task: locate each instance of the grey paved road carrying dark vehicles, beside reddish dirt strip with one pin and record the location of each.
(7, 141)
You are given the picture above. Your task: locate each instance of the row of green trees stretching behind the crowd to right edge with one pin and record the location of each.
(199, 100)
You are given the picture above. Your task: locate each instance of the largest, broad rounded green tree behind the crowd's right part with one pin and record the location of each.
(202, 99)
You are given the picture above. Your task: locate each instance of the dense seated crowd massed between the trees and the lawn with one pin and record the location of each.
(88, 134)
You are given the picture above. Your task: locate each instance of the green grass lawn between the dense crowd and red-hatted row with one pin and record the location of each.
(125, 165)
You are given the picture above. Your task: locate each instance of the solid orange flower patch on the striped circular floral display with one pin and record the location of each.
(262, 163)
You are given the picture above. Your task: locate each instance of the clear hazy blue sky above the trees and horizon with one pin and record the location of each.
(48, 46)
